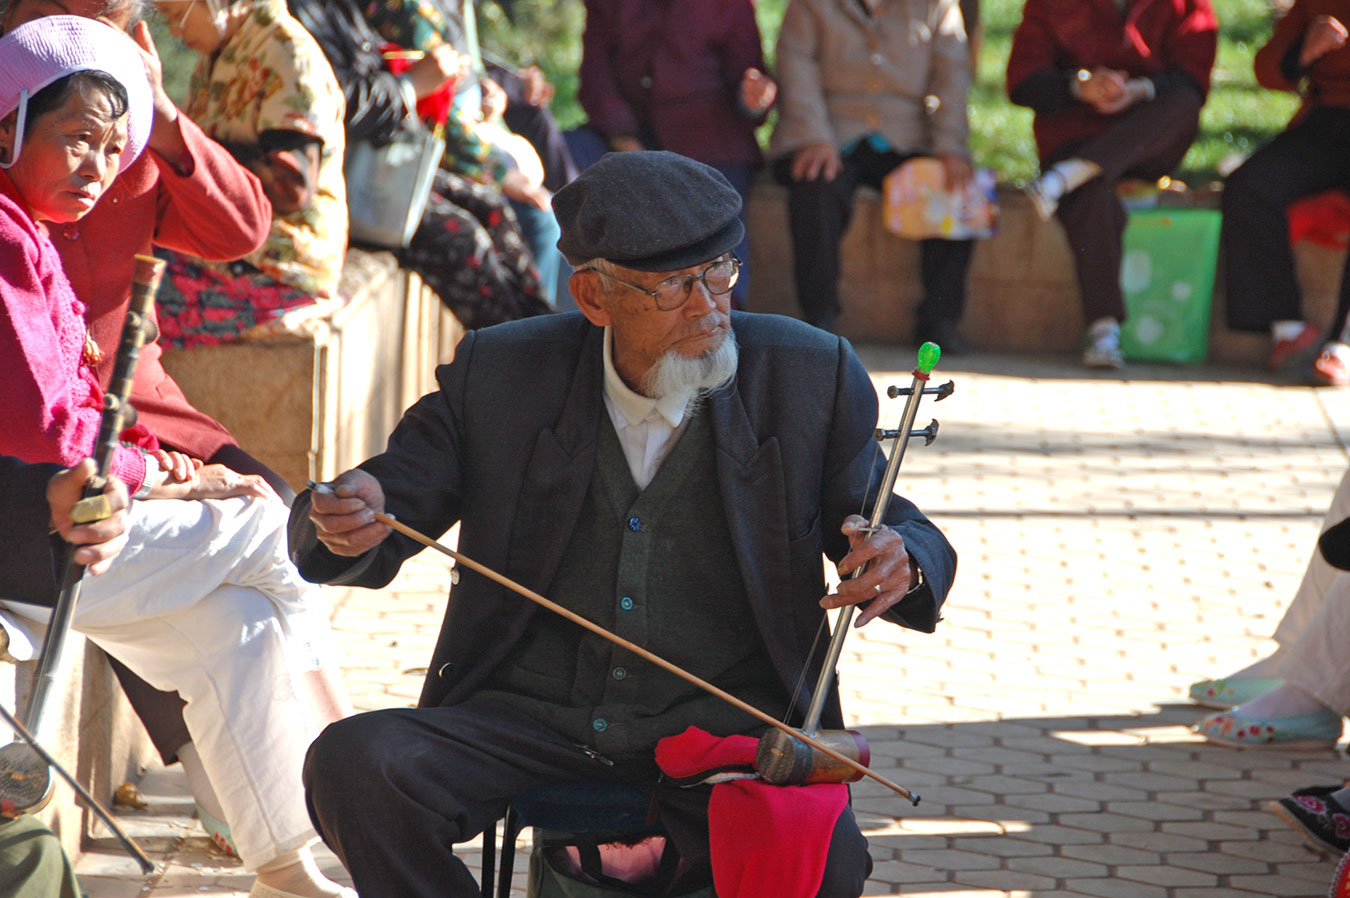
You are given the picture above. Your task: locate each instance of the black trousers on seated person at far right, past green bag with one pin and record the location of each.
(1310, 157)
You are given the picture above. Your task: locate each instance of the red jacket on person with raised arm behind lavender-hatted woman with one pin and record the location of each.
(217, 213)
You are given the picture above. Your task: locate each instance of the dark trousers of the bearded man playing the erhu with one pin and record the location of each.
(392, 792)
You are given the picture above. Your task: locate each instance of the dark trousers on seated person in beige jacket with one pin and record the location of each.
(819, 214)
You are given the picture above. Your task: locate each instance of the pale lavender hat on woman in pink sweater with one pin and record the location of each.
(44, 51)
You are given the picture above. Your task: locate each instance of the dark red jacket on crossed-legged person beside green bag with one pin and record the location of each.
(1170, 41)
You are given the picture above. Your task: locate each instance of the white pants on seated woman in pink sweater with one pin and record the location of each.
(205, 602)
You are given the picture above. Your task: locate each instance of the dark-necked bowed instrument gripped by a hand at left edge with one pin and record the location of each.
(26, 784)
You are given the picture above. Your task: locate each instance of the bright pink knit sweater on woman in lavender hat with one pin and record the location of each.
(51, 402)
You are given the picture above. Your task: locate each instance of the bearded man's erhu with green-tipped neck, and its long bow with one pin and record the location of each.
(831, 749)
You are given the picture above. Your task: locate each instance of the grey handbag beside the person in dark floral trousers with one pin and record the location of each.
(388, 186)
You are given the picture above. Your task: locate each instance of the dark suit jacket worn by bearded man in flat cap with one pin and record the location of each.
(508, 449)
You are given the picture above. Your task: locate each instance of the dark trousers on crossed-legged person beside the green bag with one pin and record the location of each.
(1145, 142)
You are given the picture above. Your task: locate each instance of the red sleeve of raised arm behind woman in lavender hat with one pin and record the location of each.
(217, 211)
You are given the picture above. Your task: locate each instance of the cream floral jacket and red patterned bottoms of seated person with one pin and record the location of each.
(265, 91)
